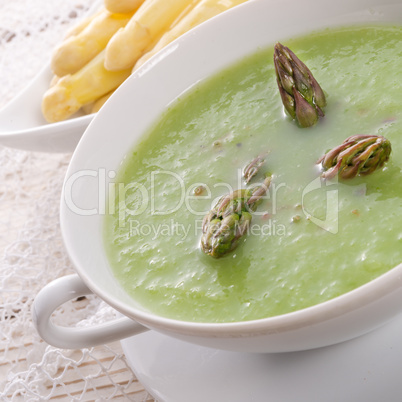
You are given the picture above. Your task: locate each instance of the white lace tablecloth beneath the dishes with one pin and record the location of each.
(32, 253)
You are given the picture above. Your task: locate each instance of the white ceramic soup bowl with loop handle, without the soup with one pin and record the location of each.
(130, 111)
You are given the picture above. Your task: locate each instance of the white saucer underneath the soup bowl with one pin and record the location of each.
(364, 369)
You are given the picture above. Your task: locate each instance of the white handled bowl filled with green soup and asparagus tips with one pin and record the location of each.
(304, 193)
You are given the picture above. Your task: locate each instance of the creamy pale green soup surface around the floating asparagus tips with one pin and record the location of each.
(302, 250)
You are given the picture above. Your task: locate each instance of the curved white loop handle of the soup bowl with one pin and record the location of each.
(62, 290)
